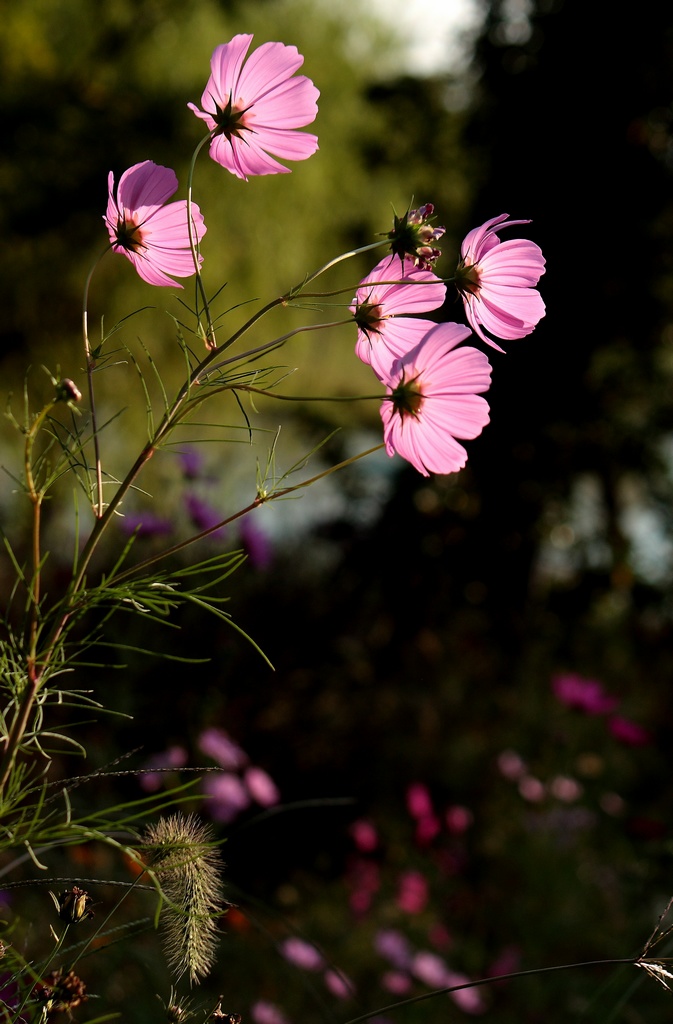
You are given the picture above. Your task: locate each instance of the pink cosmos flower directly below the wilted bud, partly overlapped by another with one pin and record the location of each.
(394, 289)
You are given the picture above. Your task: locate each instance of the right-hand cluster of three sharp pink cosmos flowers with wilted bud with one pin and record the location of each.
(434, 388)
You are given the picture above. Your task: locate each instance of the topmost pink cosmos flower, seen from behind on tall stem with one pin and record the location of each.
(253, 109)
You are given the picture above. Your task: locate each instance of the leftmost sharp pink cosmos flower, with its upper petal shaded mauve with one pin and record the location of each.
(150, 232)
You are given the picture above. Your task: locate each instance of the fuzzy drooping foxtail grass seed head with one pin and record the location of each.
(182, 855)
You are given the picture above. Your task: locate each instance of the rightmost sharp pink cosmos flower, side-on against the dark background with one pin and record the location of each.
(497, 279)
